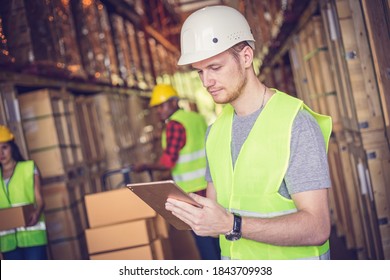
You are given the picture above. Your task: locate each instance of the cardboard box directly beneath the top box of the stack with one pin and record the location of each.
(120, 236)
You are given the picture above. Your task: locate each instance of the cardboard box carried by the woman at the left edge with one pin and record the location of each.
(14, 217)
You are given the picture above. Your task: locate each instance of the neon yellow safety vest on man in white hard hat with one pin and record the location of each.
(251, 187)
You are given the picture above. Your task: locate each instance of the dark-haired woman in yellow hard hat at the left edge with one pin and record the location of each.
(20, 185)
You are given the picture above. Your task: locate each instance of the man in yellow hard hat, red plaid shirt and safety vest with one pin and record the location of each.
(183, 143)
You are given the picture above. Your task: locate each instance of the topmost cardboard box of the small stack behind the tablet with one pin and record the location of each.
(115, 206)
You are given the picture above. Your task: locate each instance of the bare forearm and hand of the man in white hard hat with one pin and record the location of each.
(310, 225)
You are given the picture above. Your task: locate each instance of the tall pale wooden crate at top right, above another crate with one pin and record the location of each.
(364, 108)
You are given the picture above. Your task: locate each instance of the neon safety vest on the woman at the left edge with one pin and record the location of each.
(21, 192)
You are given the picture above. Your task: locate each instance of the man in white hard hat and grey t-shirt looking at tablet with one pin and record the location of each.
(268, 175)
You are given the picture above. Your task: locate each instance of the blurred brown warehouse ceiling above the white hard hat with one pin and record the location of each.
(271, 20)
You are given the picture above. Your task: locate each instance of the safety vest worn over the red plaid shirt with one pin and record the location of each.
(190, 168)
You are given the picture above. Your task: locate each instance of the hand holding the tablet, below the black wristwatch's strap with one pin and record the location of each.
(211, 220)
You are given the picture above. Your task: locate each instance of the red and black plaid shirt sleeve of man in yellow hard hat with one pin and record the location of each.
(176, 139)
